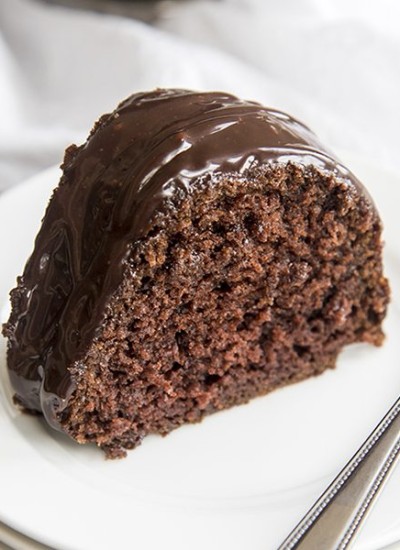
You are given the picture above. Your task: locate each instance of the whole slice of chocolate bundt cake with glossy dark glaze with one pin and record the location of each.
(199, 251)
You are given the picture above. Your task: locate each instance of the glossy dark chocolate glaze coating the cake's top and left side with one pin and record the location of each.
(154, 147)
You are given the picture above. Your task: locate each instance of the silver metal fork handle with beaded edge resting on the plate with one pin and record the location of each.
(336, 517)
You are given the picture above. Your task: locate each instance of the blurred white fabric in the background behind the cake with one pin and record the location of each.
(333, 63)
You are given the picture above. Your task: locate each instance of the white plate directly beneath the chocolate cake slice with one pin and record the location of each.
(239, 480)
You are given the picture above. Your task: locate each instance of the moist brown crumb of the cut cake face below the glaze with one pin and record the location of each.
(246, 284)
